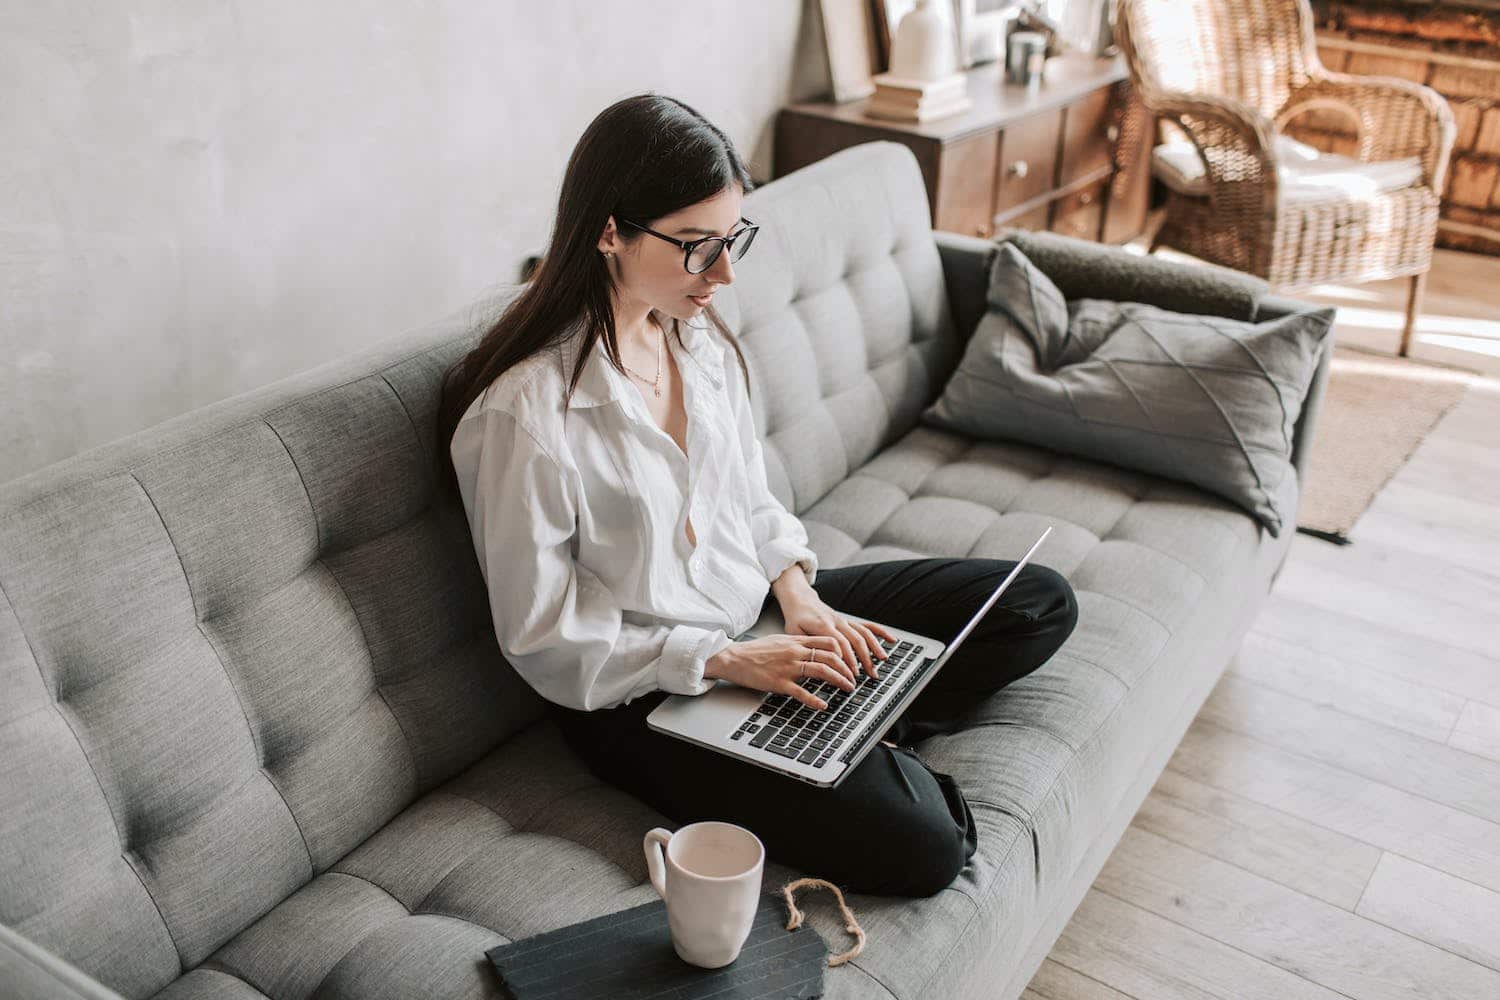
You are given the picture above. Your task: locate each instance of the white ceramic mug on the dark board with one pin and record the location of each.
(709, 875)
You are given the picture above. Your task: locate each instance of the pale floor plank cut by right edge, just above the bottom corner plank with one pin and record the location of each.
(1436, 908)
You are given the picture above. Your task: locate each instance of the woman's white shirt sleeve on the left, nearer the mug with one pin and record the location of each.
(557, 624)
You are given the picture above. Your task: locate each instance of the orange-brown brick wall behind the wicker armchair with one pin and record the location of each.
(1457, 53)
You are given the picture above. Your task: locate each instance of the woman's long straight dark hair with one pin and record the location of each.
(641, 158)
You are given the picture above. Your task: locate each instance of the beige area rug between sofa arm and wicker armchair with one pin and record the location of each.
(1376, 412)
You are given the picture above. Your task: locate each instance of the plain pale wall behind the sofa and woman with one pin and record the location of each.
(199, 199)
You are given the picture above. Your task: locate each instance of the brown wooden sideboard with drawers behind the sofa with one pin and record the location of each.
(1070, 155)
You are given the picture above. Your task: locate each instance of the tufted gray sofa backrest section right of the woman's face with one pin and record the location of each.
(842, 314)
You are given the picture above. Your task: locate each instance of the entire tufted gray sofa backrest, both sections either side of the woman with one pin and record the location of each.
(238, 644)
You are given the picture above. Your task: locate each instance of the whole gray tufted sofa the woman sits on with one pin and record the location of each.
(257, 738)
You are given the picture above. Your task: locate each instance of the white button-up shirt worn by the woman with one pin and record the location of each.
(581, 525)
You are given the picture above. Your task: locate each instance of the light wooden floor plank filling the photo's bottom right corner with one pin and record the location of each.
(1286, 929)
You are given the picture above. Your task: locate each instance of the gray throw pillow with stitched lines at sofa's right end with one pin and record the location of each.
(1201, 400)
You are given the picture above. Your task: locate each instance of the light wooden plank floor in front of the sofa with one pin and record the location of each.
(1330, 827)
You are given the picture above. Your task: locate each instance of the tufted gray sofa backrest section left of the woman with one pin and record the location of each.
(232, 648)
